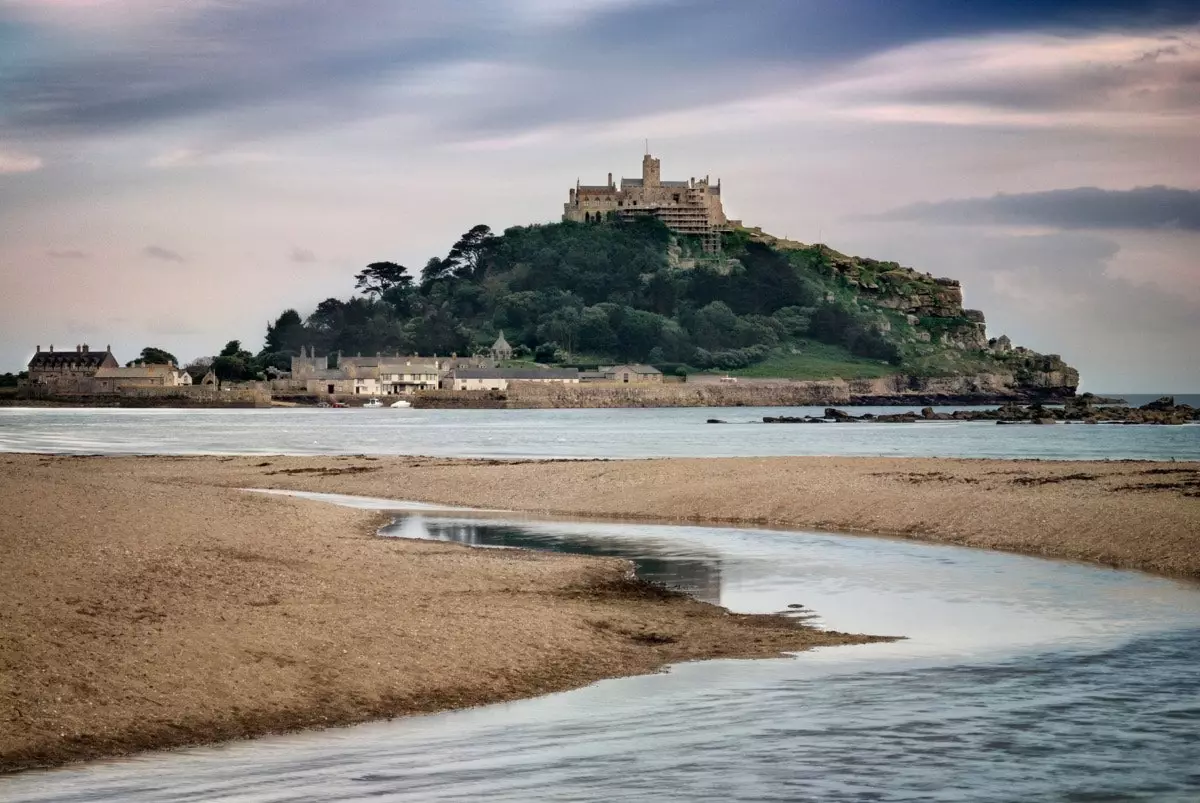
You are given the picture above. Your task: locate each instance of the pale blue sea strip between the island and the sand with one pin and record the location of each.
(663, 433)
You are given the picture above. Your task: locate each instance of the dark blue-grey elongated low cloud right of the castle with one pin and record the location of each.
(1083, 208)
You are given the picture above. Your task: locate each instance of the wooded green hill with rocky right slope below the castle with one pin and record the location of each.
(592, 293)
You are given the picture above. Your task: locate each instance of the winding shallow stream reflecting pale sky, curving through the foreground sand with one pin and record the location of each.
(1021, 680)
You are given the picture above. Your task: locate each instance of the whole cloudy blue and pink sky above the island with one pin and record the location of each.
(176, 175)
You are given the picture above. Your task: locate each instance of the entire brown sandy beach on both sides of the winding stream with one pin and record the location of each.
(151, 602)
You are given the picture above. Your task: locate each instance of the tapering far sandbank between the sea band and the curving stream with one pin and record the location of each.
(1129, 514)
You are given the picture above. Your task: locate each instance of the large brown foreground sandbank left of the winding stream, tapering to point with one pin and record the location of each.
(143, 606)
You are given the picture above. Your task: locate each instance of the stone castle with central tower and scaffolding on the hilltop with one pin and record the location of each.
(692, 207)
